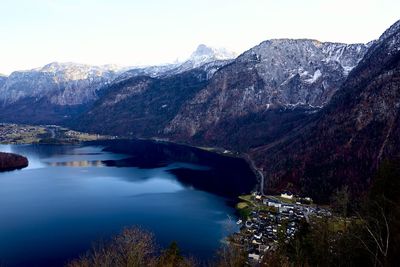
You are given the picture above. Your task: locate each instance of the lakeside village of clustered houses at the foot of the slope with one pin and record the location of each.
(269, 220)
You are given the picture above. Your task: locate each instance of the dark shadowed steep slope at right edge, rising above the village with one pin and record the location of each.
(347, 140)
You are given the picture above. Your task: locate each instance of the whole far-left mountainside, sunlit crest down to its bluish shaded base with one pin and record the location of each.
(53, 93)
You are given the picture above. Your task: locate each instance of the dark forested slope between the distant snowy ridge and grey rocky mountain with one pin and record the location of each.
(141, 106)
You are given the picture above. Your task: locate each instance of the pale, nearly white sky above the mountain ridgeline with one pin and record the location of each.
(129, 32)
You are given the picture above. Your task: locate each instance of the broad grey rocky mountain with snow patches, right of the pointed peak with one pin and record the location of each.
(276, 82)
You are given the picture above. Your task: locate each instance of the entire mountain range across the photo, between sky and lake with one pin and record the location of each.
(313, 116)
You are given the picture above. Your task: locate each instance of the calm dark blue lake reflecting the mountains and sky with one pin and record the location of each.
(73, 195)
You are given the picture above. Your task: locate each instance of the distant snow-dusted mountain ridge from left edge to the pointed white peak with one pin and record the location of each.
(58, 92)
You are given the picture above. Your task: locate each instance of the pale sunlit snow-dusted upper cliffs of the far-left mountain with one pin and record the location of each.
(61, 83)
